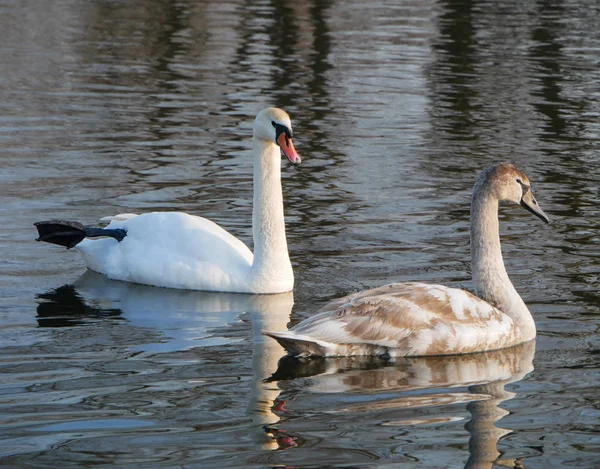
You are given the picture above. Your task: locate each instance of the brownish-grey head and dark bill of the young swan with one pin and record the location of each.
(506, 182)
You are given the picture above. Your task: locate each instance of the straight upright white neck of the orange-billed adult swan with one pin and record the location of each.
(271, 258)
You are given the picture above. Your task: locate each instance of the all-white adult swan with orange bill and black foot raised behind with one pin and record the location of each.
(178, 250)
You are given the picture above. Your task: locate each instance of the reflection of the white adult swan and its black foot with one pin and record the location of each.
(183, 319)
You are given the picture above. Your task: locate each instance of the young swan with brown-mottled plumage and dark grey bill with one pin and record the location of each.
(414, 319)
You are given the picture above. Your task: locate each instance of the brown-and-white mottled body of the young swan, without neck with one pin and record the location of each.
(406, 319)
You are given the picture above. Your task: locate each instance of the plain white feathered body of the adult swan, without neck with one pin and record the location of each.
(171, 249)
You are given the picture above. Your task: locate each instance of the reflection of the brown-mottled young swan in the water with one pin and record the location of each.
(484, 375)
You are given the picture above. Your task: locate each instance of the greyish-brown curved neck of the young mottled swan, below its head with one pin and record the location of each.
(489, 274)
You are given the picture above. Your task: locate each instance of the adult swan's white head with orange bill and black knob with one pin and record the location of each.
(274, 125)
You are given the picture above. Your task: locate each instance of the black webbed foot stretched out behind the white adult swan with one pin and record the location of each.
(71, 233)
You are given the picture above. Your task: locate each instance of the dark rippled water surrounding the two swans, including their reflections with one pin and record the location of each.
(109, 107)
